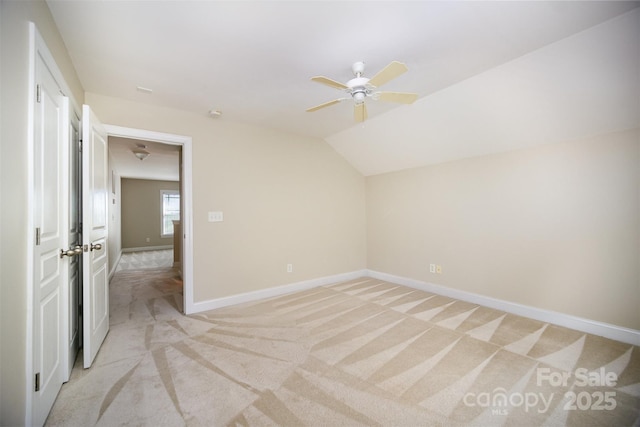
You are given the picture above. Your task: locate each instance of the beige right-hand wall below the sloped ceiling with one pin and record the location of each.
(555, 227)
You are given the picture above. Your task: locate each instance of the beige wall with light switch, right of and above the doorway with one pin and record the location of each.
(285, 199)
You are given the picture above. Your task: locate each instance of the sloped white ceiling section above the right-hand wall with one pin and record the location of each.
(581, 86)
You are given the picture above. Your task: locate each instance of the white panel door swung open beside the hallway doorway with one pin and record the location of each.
(95, 286)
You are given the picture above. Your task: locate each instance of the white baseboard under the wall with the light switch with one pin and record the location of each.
(275, 291)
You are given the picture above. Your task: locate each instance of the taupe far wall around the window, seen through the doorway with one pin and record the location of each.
(141, 212)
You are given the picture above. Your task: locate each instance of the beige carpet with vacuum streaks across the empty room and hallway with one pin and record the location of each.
(362, 353)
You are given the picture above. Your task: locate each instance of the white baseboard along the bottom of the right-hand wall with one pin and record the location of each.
(606, 330)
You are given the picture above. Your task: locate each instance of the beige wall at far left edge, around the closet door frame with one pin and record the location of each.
(14, 39)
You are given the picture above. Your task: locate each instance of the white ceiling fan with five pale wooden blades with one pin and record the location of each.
(359, 88)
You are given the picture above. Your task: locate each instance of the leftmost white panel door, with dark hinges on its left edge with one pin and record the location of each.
(49, 218)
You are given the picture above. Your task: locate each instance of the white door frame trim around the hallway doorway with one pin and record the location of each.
(187, 197)
